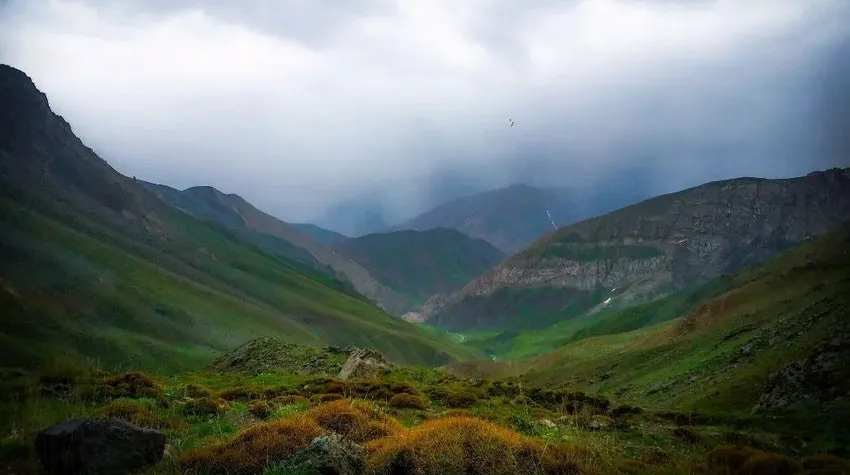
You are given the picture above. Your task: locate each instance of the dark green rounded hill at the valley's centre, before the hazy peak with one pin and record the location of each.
(418, 264)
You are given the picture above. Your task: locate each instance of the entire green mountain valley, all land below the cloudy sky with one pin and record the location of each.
(703, 331)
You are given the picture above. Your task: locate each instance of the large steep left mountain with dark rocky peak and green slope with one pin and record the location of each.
(97, 267)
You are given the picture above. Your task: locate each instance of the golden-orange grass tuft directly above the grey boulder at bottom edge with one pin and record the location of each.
(357, 420)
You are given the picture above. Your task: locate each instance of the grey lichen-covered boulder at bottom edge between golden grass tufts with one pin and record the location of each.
(328, 455)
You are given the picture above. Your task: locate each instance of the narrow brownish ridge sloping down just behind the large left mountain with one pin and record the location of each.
(277, 237)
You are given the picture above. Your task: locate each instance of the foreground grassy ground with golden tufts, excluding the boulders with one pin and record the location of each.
(508, 428)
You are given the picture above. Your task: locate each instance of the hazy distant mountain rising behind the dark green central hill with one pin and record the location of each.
(511, 218)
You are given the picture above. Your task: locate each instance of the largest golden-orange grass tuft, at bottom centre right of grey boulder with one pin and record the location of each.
(466, 445)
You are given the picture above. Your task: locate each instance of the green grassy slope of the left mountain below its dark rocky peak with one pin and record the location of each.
(89, 292)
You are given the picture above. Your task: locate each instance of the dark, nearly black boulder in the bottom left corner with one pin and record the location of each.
(98, 446)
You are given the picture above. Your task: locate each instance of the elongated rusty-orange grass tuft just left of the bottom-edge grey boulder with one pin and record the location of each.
(254, 449)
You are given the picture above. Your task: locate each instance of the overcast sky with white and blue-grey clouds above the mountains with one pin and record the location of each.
(299, 104)
